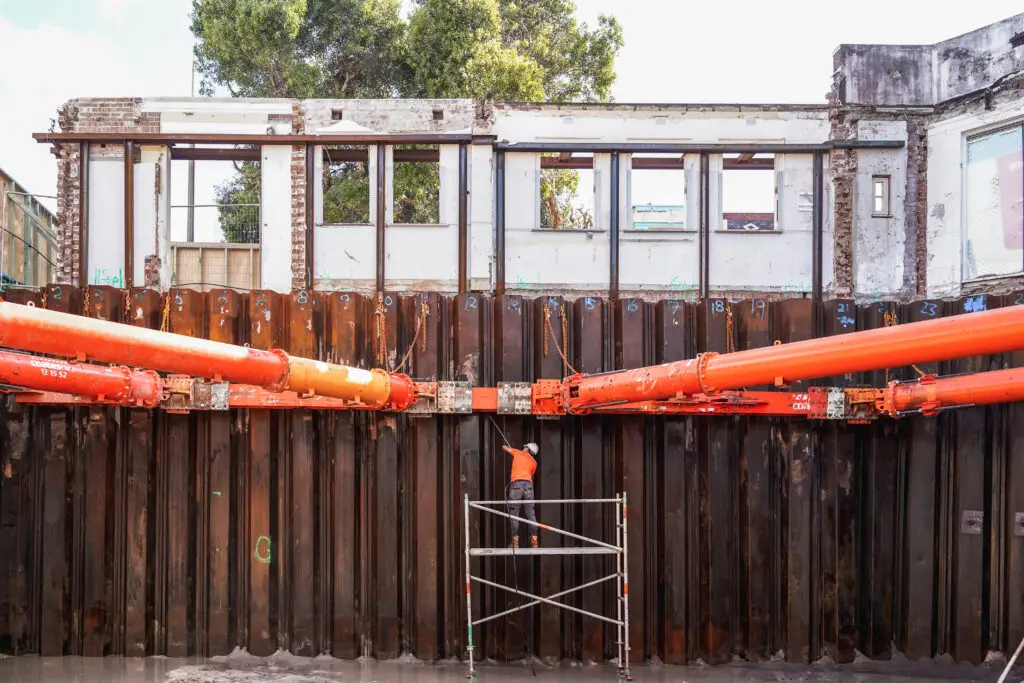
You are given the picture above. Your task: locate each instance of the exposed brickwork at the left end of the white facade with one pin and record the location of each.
(116, 115)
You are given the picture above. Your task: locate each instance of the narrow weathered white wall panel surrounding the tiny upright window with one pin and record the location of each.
(879, 243)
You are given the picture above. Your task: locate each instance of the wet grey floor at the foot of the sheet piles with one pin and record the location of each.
(284, 668)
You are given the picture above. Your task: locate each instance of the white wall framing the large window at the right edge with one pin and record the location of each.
(947, 158)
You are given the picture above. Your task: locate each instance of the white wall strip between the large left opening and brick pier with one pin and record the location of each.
(276, 233)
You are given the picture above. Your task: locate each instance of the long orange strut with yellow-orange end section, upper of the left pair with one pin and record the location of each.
(51, 332)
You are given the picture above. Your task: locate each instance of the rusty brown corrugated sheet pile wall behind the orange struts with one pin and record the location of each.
(130, 532)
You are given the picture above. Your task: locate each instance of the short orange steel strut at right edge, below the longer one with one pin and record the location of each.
(930, 394)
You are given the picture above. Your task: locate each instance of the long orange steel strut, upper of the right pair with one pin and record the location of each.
(955, 337)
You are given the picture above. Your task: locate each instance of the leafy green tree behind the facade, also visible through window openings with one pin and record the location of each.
(527, 51)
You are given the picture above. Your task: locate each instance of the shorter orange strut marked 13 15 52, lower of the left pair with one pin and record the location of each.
(120, 387)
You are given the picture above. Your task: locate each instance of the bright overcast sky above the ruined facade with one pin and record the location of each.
(676, 52)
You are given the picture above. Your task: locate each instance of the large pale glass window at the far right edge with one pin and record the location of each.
(995, 197)
